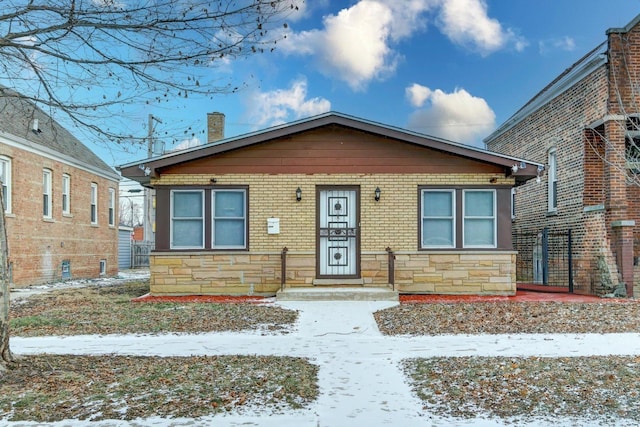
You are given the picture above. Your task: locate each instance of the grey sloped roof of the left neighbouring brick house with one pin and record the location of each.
(17, 116)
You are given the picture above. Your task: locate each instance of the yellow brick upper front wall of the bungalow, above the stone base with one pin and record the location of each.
(391, 222)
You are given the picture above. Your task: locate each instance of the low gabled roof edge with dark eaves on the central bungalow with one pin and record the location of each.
(142, 170)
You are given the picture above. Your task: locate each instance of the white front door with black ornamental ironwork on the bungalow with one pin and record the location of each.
(338, 233)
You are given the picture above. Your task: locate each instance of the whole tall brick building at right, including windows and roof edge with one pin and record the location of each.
(585, 126)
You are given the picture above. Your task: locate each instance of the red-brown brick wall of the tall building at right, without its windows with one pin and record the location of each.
(591, 169)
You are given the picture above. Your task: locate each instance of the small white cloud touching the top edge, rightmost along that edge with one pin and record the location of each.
(467, 23)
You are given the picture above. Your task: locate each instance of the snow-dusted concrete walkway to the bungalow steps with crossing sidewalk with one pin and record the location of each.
(360, 380)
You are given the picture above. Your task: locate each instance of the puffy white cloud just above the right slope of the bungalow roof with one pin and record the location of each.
(456, 116)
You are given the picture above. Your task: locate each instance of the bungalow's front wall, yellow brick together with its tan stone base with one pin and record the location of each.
(391, 222)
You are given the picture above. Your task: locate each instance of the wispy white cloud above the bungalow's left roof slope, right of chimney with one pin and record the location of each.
(284, 105)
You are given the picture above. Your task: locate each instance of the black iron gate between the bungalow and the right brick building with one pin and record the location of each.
(544, 258)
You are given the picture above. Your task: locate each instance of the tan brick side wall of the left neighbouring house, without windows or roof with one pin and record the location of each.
(37, 246)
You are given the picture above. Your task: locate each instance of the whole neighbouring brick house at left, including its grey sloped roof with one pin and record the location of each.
(60, 199)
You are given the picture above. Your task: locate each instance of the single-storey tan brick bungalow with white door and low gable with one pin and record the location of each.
(332, 200)
